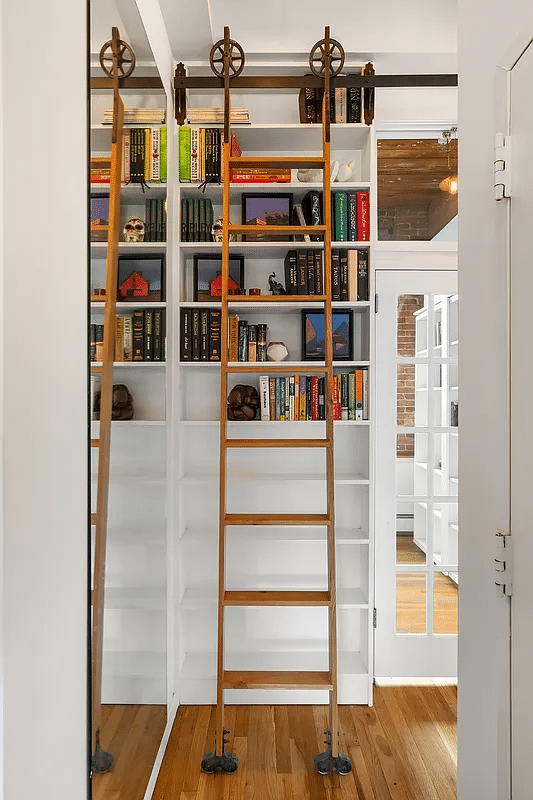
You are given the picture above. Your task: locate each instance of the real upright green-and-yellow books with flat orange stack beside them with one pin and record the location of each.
(200, 159)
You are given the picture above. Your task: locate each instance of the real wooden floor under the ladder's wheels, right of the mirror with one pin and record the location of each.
(402, 748)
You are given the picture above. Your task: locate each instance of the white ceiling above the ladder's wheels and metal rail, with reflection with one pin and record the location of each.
(365, 29)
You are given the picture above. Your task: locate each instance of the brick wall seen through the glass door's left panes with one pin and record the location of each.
(405, 397)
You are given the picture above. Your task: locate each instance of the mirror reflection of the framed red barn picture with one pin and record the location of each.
(141, 279)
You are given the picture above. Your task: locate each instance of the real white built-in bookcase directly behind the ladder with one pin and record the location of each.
(270, 480)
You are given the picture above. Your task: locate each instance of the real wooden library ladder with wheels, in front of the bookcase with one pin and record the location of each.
(220, 758)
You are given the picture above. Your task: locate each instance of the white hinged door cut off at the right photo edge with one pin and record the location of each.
(521, 128)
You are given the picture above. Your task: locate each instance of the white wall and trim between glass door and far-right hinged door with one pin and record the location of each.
(486, 29)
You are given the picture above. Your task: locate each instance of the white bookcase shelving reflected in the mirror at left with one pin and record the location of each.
(135, 616)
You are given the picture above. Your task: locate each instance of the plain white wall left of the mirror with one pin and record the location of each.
(44, 634)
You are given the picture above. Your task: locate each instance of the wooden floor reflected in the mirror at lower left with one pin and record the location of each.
(132, 735)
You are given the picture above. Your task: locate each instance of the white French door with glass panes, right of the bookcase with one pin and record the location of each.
(416, 474)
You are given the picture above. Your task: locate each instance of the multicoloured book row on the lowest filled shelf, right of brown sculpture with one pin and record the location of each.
(302, 398)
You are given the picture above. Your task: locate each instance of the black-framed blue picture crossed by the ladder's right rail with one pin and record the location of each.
(313, 337)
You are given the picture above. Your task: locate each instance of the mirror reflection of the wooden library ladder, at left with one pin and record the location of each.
(102, 760)
